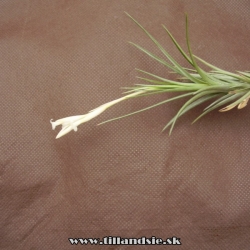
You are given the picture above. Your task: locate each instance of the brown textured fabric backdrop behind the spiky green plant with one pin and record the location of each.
(126, 178)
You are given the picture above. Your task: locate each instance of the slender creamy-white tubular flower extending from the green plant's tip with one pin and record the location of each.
(71, 122)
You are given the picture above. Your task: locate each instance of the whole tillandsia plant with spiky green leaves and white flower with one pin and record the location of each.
(226, 89)
